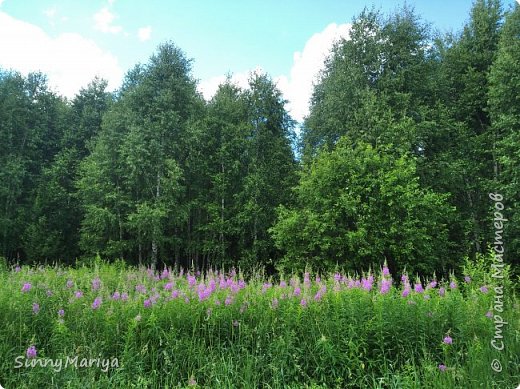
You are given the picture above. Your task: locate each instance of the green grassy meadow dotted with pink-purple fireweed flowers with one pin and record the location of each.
(114, 326)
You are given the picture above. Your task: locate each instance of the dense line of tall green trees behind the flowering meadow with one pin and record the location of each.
(408, 132)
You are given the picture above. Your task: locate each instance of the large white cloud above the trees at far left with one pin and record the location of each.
(69, 60)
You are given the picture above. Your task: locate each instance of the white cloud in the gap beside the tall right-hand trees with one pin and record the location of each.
(298, 86)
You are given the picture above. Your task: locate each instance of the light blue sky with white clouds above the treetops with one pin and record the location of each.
(72, 41)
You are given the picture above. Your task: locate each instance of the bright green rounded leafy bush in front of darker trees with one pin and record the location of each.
(358, 205)
